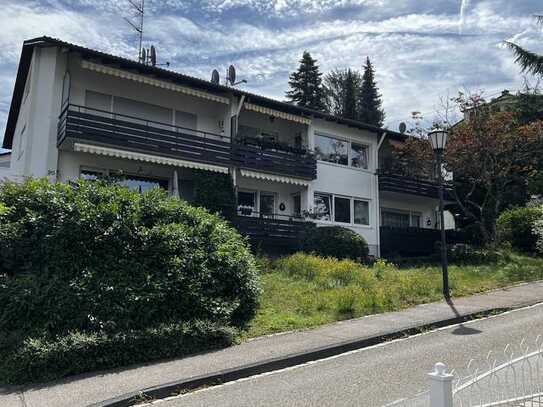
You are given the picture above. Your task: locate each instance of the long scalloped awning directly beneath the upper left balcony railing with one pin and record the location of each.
(155, 159)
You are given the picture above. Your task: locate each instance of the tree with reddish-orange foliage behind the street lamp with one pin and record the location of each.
(490, 154)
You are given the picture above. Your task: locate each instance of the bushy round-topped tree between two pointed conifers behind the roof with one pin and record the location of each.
(342, 89)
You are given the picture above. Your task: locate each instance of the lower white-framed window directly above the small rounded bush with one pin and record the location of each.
(341, 209)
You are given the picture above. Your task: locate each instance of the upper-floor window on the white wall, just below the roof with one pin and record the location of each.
(341, 152)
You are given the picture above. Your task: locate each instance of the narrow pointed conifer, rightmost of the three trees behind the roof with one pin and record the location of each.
(369, 100)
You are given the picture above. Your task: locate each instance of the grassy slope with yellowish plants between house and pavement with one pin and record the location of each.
(303, 291)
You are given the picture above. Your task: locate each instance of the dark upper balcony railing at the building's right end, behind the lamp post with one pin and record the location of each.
(392, 182)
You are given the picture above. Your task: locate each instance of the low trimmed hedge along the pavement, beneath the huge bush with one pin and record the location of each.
(40, 359)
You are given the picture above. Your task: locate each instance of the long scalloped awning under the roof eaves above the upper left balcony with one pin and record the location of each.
(119, 73)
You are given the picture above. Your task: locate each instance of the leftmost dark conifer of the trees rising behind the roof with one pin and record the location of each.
(306, 88)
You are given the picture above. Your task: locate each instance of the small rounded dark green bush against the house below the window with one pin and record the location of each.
(336, 241)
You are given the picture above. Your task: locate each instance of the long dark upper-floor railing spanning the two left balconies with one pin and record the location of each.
(132, 133)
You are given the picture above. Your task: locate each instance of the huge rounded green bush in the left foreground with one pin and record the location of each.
(97, 258)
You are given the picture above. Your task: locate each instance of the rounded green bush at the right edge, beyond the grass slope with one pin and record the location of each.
(515, 228)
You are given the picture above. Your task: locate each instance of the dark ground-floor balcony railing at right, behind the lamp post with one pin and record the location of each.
(409, 242)
